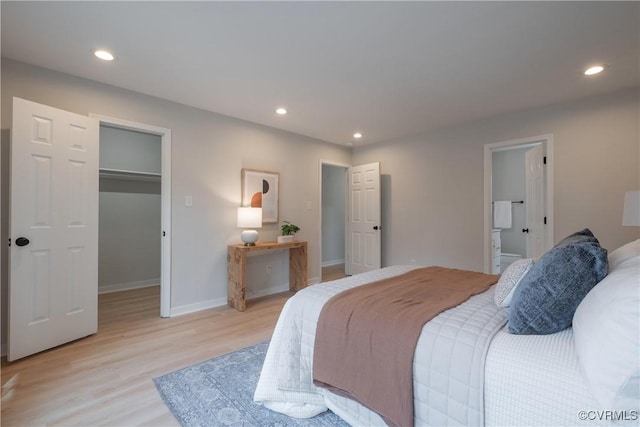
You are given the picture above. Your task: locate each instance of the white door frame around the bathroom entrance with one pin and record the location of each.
(545, 140)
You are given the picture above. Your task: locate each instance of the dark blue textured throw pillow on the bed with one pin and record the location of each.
(547, 297)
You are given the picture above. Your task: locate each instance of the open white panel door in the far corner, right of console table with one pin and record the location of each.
(363, 219)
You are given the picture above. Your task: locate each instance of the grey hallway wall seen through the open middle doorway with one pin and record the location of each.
(333, 214)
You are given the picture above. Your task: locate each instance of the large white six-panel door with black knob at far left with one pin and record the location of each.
(53, 277)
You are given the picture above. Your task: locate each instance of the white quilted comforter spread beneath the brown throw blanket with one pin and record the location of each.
(448, 377)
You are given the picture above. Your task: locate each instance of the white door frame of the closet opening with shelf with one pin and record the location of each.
(165, 200)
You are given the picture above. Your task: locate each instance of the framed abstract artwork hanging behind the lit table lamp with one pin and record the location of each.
(260, 190)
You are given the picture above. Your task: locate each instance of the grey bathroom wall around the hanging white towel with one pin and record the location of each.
(508, 183)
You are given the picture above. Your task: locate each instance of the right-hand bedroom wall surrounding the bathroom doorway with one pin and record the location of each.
(433, 183)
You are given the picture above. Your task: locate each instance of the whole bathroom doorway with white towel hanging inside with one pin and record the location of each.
(507, 178)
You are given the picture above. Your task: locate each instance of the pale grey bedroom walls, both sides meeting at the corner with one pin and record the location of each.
(432, 184)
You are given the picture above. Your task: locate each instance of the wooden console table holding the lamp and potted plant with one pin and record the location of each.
(236, 268)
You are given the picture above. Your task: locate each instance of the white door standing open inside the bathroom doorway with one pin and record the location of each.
(534, 203)
